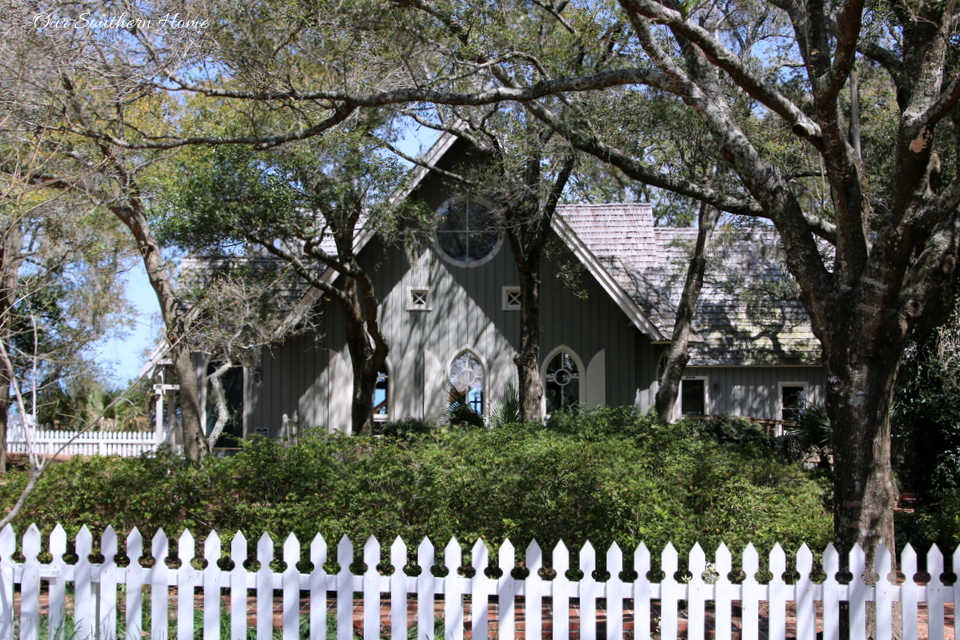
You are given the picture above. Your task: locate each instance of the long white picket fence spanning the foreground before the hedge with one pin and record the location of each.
(97, 602)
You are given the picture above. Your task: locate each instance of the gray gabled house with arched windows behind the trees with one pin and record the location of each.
(451, 317)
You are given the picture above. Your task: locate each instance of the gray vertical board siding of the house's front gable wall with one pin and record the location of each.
(312, 376)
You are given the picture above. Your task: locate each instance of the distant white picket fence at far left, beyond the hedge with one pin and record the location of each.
(86, 443)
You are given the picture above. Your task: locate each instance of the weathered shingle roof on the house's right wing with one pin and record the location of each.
(748, 312)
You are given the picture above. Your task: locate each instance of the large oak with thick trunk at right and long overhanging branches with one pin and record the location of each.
(874, 259)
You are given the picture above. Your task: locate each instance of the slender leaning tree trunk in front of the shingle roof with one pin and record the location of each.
(677, 356)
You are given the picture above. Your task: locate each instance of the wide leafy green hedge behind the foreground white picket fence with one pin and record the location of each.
(608, 475)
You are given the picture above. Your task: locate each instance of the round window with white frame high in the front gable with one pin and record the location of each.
(467, 233)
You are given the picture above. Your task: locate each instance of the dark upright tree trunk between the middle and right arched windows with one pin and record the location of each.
(527, 359)
